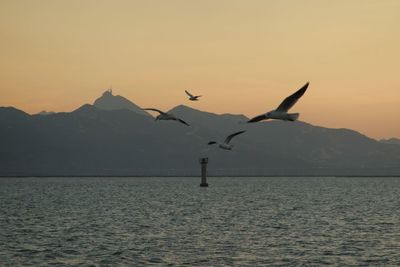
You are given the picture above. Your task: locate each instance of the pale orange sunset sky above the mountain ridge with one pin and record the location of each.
(243, 56)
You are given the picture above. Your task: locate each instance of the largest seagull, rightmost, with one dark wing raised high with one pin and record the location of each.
(281, 113)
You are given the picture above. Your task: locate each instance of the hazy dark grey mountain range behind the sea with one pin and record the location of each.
(114, 137)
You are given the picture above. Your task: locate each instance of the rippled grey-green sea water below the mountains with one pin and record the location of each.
(172, 221)
